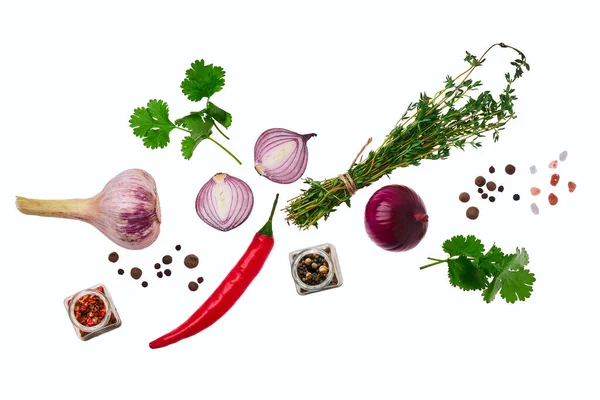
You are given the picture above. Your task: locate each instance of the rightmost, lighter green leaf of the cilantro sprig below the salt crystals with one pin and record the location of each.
(514, 282)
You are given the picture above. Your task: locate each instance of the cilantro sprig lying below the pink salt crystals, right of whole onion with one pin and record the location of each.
(492, 272)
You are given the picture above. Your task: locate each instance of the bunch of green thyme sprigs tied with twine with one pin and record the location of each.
(427, 131)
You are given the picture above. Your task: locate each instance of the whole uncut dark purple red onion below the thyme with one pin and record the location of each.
(396, 218)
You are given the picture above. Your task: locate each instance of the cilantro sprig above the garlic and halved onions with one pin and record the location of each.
(152, 123)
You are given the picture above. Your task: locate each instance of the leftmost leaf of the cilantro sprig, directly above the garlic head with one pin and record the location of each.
(152, 124)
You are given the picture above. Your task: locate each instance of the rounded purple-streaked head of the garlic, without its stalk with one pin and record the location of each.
(130, 208)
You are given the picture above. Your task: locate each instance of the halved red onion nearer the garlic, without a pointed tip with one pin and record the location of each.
(224, 202)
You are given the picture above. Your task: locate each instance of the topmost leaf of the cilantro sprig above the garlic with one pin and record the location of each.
(202, 80)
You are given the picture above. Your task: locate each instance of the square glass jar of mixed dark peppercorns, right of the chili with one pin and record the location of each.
(315, 269)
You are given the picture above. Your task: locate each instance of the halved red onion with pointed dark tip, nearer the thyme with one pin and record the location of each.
(281, 155)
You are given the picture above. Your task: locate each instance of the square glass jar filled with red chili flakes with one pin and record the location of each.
(92, 312)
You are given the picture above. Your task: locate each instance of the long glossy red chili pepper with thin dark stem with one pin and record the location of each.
(230, 290)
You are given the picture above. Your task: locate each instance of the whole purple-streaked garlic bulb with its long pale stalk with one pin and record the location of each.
(127, 210)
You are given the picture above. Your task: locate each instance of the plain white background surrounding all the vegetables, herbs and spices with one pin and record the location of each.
(72, 73)
